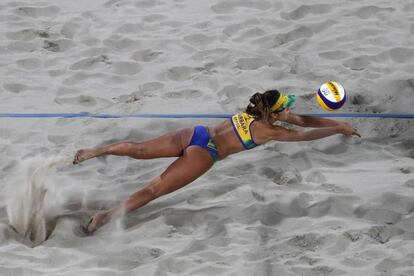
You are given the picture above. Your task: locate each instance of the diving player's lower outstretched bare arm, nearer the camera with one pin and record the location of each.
(283, 134)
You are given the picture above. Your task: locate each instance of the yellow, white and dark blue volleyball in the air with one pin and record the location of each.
(331, 96)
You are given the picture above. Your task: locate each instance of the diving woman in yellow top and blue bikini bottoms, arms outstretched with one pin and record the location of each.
(198, 148)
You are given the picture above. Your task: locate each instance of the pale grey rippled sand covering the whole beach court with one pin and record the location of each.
(337, 206)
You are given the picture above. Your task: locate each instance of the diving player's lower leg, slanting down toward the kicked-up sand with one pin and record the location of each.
(192, 164)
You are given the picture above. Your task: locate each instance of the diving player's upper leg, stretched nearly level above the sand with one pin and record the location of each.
(168, 145)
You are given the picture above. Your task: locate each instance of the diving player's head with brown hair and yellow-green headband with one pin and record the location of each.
(269, 105)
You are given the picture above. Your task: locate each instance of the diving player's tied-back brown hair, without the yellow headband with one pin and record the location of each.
(260, 104)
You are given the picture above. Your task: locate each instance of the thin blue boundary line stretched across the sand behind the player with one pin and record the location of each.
(172, 116)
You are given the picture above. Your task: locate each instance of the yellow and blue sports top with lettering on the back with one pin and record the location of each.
(241, 124)
